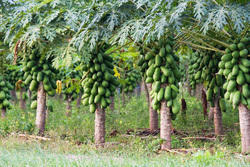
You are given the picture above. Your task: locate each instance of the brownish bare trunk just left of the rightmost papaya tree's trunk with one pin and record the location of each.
(218, 128)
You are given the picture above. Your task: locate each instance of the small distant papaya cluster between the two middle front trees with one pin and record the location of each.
(133, 77)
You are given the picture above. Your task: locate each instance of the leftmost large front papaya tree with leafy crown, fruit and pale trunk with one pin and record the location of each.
(34, 30)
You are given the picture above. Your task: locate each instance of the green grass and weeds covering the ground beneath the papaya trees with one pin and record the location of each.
(72, 138)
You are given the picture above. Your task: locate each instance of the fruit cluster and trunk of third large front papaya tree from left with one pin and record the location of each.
(162, 72)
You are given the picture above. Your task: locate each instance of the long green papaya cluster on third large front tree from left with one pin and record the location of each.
(161, 69)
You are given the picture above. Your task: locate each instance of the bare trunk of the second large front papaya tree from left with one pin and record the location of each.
(99, 126)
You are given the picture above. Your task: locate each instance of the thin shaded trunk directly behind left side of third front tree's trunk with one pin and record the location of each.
(153, 115)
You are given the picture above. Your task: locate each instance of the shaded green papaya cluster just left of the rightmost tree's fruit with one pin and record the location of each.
(203, 68)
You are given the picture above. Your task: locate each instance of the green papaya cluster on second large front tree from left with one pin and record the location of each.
(99, 82)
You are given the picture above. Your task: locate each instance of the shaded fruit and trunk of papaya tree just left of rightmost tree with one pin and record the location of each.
(204, 69)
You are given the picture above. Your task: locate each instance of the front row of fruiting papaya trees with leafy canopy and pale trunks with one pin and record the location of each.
(55, 31)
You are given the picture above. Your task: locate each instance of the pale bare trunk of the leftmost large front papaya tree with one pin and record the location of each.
(41, 109)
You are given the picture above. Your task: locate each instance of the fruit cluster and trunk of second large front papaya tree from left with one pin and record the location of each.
(99, 85)
